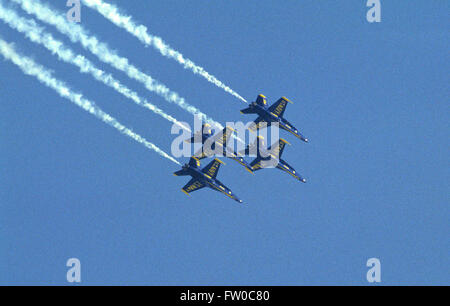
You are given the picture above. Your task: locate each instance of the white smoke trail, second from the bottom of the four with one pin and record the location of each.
(38, 35)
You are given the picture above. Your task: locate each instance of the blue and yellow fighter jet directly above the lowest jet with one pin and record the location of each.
(213, 144)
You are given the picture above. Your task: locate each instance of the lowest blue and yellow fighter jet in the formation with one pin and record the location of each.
(205, 177)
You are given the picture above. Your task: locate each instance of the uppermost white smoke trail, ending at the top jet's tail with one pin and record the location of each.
(111, 12)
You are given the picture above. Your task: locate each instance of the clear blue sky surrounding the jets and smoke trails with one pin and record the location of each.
(372, 98)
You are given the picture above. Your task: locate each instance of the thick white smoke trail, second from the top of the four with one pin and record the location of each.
(77, 33)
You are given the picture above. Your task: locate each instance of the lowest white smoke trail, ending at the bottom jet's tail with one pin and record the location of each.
(29, 67)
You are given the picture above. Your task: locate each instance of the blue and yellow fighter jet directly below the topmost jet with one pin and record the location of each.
(271, 157)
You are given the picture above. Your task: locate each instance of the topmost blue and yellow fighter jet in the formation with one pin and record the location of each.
(270, 115)
